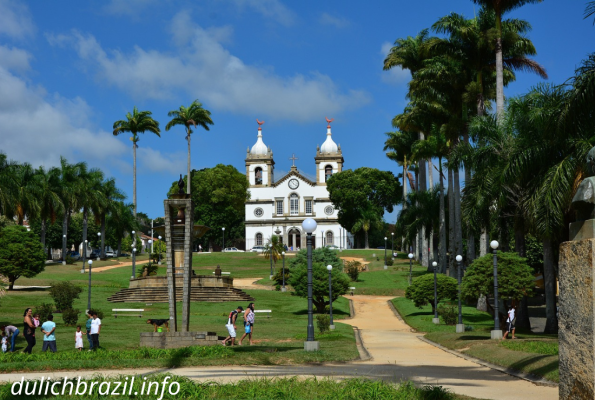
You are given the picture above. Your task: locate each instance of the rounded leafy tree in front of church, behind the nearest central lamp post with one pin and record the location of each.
(320, 294)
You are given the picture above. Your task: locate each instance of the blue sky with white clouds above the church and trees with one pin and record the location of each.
(69, 69)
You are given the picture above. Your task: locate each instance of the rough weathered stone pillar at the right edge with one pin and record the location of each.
(577, 319)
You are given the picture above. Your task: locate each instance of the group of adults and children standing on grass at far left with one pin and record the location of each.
(48, 328)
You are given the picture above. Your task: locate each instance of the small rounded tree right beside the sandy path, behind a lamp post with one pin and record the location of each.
(421, 291)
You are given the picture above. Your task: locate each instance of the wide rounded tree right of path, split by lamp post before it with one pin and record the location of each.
(515, 277)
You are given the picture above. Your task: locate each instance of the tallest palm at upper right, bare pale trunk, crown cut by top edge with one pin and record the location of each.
(501, 7)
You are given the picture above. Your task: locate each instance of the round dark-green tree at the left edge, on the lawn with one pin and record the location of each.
(21, 254)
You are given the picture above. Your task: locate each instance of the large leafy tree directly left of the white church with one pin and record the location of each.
(219, 197)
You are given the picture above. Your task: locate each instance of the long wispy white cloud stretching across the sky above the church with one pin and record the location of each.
(206, 70)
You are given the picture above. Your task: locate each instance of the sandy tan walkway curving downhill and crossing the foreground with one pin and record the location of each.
(397, 354)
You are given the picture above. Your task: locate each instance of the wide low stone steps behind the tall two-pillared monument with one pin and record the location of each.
(159, 295)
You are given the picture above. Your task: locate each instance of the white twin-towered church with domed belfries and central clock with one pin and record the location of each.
(278, 207)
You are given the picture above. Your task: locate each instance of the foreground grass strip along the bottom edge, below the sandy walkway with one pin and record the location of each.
(283, 388)
